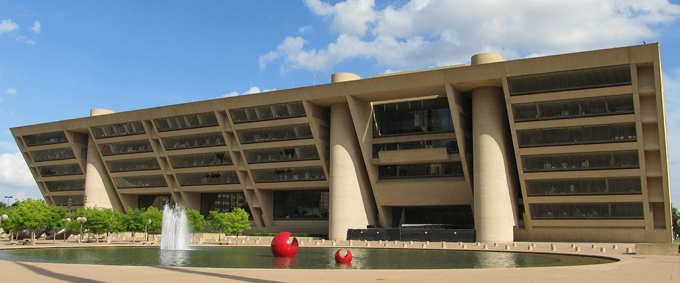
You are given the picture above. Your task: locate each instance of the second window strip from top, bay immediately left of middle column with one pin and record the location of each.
(288, 132)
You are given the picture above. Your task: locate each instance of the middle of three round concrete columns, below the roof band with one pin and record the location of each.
(351, 198)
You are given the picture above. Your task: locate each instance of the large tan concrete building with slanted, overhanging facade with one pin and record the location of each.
(563, 148)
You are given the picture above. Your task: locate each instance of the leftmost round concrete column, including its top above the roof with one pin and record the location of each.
(98, 187)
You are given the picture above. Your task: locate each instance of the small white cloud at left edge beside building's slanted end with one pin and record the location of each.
(14, 172)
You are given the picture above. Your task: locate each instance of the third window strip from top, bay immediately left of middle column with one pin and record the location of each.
(307, 152)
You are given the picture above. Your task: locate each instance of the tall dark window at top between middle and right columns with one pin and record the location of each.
(412, 117)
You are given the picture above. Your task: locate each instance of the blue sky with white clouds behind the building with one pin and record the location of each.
(59, 59)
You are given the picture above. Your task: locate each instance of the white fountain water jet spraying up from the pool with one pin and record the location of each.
(175, 233)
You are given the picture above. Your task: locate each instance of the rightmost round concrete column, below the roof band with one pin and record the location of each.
(493, 171)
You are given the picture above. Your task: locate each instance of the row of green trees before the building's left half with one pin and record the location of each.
(33, 214)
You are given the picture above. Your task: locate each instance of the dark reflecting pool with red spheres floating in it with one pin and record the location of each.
(306, 258)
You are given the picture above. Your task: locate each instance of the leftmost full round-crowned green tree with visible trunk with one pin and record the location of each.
(31, 214)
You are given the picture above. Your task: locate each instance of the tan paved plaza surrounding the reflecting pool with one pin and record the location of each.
(630, 268)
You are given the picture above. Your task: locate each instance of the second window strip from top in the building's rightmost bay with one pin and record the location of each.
(572, 108)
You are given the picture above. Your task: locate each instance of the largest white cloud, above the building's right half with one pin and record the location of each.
(422, 33)
